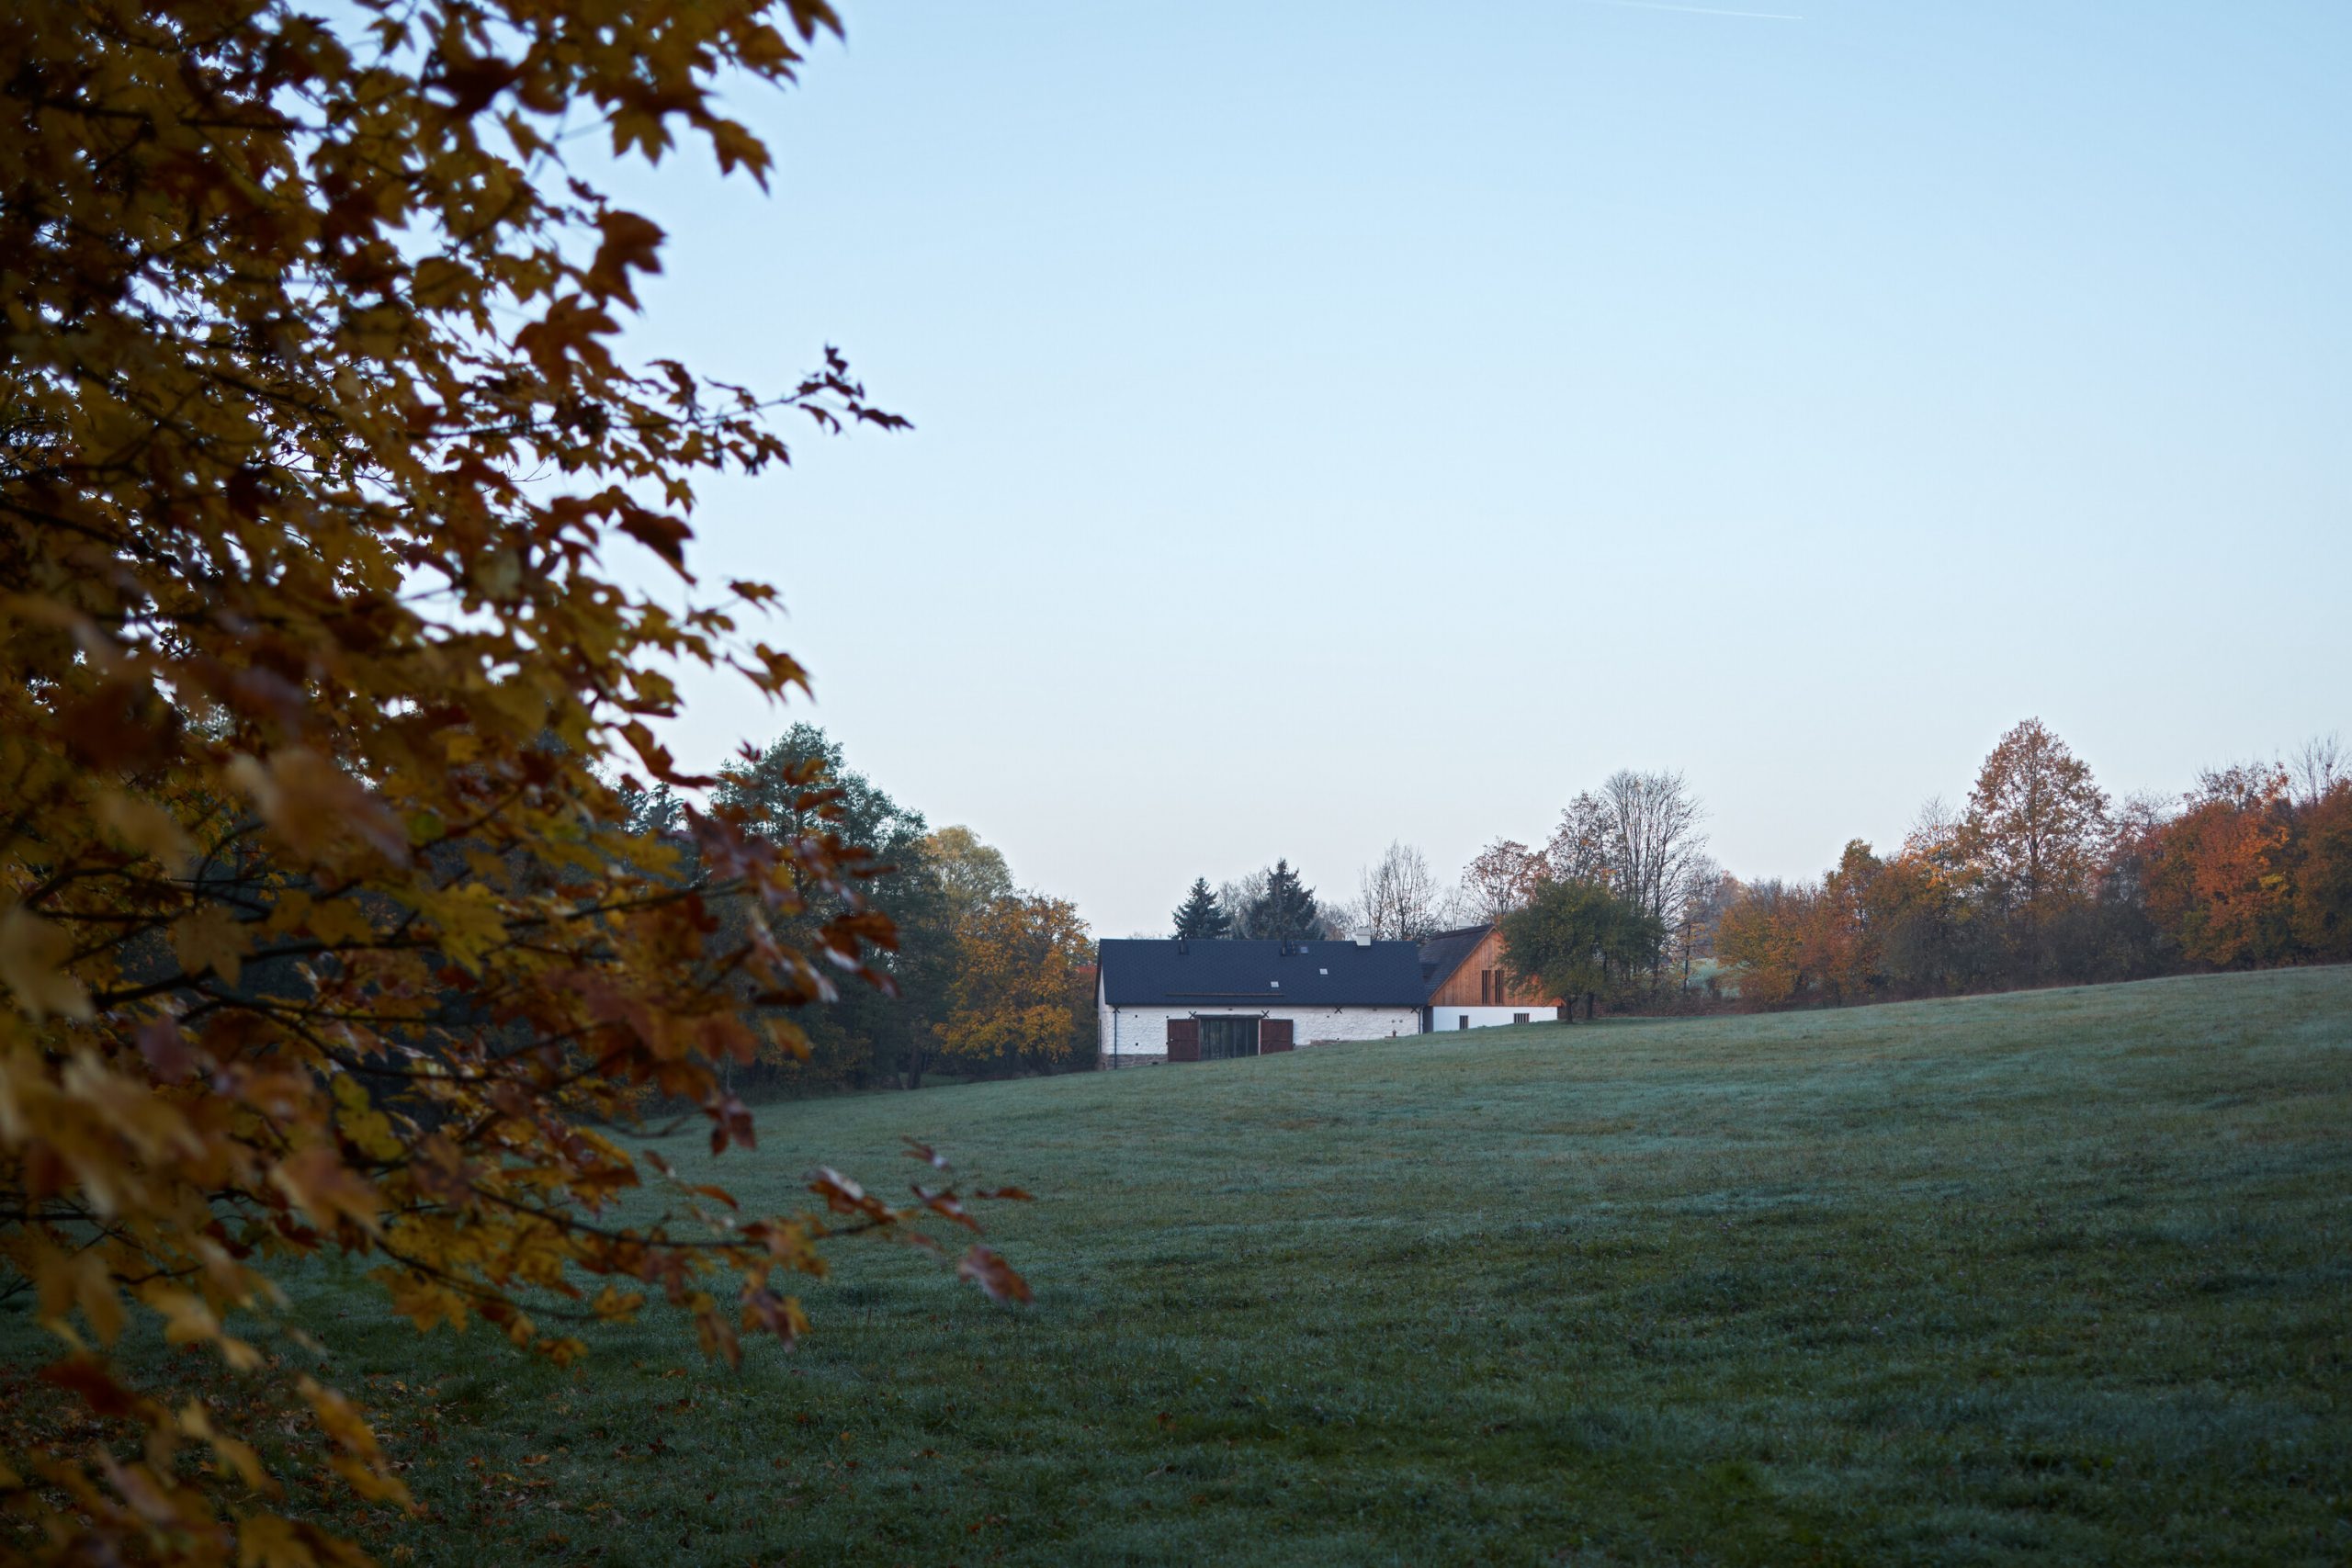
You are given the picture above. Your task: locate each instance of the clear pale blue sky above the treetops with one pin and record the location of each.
(1347, 422)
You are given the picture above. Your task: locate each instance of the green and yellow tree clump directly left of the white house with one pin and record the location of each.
(987, 979)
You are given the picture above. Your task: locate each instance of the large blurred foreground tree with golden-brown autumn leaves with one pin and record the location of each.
(326, 711)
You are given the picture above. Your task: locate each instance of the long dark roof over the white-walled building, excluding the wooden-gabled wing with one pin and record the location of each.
(1156, 972)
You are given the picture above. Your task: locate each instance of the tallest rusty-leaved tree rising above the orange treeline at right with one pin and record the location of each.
(2036, 836)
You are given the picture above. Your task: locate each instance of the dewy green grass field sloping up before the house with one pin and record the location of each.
(2045, 1278)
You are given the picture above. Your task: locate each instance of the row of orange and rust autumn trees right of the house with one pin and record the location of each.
(2043, 880)
